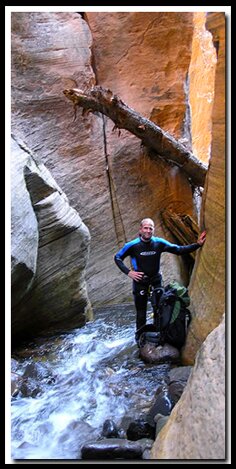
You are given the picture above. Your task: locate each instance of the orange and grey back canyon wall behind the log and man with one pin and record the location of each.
(108, 178)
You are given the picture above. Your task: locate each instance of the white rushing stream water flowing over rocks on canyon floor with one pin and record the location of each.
(96, 374)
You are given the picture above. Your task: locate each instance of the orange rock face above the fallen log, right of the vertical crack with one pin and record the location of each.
(148, 56)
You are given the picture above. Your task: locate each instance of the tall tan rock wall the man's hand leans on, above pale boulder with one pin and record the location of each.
(209, 274)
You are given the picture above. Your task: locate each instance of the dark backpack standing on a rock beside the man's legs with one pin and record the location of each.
(174, 316)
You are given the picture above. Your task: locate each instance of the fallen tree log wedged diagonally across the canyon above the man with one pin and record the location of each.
(152, 136)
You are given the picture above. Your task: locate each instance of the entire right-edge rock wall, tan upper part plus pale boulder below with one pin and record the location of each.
(196, 427)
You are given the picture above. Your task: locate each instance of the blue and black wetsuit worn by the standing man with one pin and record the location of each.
(145, 257)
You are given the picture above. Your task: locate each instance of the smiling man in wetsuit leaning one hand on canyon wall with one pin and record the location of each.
(145, 253)
